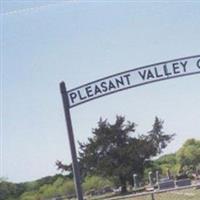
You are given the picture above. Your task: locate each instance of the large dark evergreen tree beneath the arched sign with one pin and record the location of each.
(114, 152)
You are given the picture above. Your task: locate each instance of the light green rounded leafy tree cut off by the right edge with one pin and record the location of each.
(189, 155)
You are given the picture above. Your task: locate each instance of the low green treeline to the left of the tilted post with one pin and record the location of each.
(43, 188)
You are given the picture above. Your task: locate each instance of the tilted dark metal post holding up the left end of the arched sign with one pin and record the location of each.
(76, 171)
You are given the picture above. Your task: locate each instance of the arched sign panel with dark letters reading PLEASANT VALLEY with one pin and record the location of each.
(133, 78)
